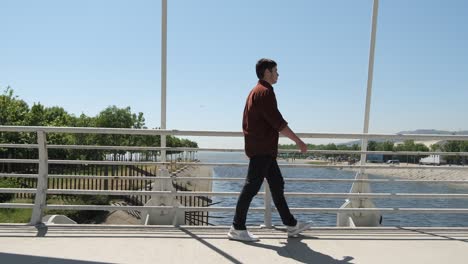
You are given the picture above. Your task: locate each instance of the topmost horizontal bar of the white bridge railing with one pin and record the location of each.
(153, 132)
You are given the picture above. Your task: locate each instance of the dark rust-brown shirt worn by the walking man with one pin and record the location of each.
(262, 121)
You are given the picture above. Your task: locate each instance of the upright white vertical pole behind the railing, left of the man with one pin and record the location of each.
(163, 75)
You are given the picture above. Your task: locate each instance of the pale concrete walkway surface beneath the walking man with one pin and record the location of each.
(90, 244)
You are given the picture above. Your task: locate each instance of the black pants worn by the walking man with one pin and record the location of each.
(261, 167)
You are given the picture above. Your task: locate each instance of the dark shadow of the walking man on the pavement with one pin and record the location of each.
(295, 249)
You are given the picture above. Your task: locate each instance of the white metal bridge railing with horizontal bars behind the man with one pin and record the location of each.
(43, 162)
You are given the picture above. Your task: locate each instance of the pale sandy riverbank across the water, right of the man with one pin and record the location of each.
(416, 172)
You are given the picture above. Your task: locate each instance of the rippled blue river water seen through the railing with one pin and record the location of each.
(324, 219)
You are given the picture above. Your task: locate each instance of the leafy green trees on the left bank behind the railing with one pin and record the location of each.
(16, 112)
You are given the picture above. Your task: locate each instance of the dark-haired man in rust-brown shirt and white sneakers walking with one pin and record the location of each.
(262, 122)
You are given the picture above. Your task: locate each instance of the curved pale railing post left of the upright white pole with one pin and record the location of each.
(42, 181)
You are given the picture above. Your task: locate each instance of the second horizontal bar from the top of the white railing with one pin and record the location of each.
(135, 148)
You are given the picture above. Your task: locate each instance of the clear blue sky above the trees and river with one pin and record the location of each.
(87, 55)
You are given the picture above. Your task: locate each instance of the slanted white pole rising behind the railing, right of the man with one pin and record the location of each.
(370, 76)
